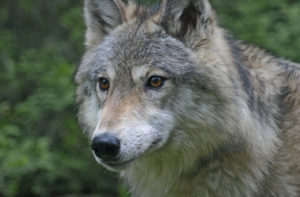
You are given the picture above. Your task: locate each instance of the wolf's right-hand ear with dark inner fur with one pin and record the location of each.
(191, 21)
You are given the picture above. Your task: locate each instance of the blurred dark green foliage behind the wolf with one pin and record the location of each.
(42, 150)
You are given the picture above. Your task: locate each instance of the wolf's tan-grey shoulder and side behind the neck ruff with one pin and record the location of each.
(277, 83)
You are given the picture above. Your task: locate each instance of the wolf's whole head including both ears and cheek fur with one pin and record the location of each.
(151, 80)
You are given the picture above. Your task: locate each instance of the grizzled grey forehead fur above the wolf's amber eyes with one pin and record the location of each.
(126, 50)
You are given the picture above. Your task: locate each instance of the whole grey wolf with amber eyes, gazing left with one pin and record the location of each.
(179, 108)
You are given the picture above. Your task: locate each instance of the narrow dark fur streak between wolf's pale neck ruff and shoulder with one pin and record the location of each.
(243, 72)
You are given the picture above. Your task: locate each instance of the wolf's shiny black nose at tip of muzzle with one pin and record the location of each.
(106, 146)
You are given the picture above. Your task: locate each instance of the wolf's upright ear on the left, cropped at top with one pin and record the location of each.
(101, 16)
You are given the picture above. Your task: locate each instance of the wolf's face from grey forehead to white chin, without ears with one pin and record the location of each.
(133, 85)
